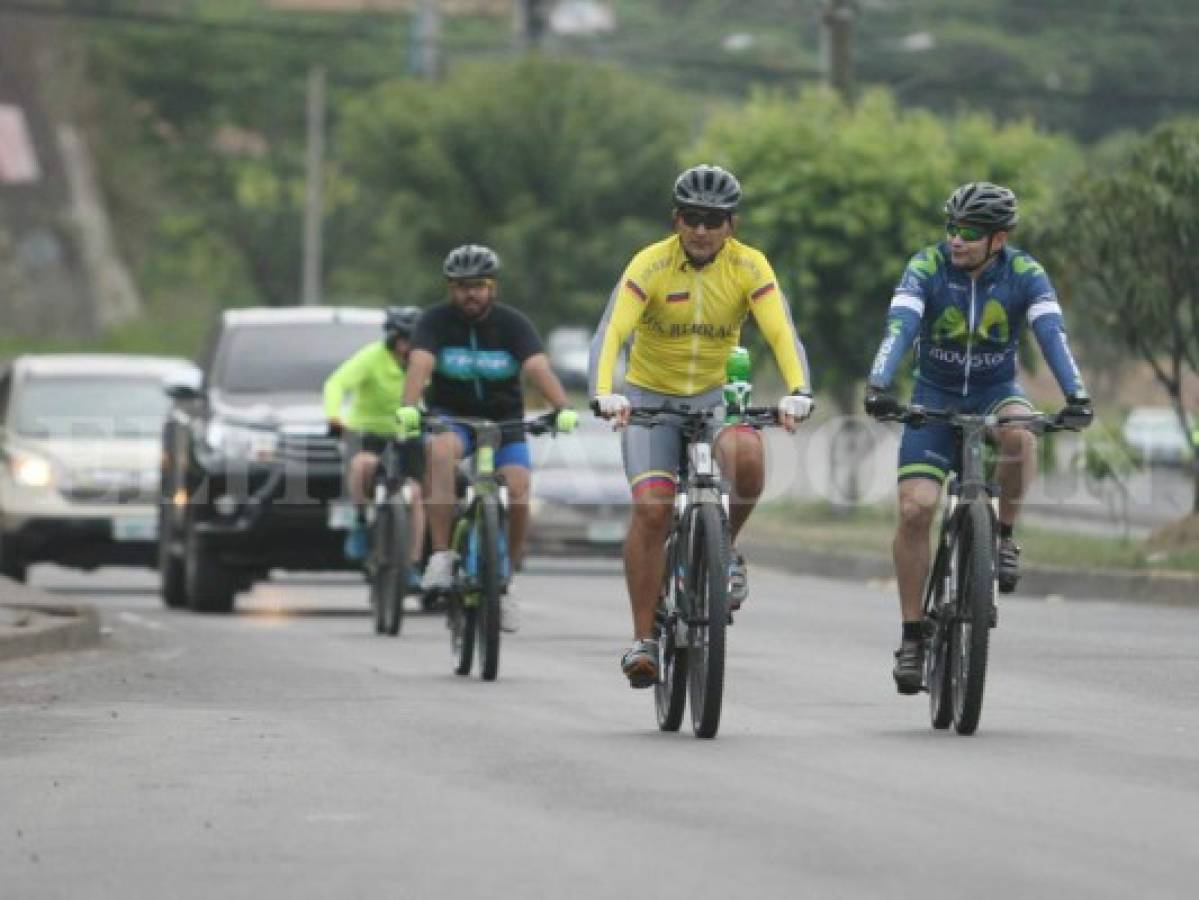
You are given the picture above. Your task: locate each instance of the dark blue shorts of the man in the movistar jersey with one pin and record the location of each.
(931, 451)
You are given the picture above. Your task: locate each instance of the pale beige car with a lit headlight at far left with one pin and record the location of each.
(80, 458)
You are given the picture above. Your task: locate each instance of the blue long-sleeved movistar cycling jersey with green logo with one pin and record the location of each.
(967, 331)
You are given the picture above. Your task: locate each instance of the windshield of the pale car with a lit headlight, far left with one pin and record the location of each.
(88, 408)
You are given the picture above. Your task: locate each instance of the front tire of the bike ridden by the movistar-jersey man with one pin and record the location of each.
(972, 626)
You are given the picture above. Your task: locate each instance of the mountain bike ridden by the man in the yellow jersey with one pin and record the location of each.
(694, 613)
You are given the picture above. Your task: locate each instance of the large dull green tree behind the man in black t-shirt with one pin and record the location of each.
(564, 168)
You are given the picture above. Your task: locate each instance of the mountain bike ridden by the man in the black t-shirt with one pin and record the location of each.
(480, 541)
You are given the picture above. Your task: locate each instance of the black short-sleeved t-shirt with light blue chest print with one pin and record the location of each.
(478, 364)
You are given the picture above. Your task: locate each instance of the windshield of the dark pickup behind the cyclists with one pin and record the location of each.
(290, 357)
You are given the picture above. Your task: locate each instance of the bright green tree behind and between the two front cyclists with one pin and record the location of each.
(840, 197)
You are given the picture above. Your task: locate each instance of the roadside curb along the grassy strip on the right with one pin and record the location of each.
(1159, 588)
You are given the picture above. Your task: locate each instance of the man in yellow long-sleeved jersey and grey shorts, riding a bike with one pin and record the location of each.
(683, 301)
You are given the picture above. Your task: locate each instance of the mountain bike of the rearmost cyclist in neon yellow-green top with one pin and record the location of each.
(389, 520)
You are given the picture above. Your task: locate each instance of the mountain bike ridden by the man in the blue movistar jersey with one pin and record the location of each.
(960, 594)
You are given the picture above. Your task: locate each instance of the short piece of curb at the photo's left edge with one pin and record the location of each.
(33, 623)
